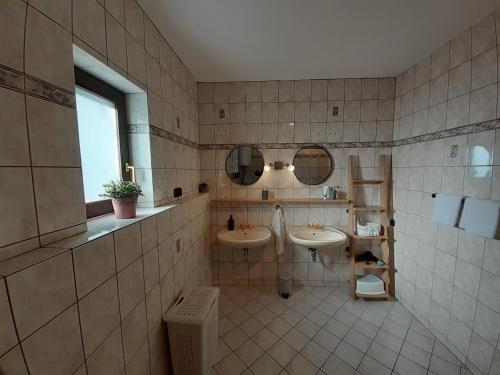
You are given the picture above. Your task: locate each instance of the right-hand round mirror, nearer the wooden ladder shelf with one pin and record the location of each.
(313, 165)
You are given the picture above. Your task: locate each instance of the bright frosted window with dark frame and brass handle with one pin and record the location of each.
(103, 138)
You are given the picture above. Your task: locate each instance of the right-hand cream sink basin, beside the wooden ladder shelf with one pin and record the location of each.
(314, 239)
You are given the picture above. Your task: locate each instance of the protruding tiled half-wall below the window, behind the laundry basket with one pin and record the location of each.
(93, 304)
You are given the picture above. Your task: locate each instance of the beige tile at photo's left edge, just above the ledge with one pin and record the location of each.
(16, 191)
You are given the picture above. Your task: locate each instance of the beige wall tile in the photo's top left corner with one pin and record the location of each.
(12, 19)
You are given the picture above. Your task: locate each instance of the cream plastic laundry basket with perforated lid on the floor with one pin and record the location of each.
(192, 331)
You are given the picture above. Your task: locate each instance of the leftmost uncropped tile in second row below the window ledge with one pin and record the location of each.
(99, 315)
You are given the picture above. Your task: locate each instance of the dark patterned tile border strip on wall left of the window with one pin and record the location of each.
(14, 80)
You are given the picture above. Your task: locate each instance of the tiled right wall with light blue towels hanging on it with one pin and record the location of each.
(447, 141)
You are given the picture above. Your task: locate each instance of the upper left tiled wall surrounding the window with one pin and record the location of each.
(42, 191)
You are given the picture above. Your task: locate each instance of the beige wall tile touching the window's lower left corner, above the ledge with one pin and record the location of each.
(59, 198)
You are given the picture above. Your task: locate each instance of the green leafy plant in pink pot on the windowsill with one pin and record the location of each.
(123, 195)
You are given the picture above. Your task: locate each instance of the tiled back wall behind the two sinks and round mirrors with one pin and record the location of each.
(346, 116)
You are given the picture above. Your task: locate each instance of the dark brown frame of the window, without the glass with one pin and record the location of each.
(100, 88)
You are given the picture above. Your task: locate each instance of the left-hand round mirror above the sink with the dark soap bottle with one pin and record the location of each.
(245, 165)
